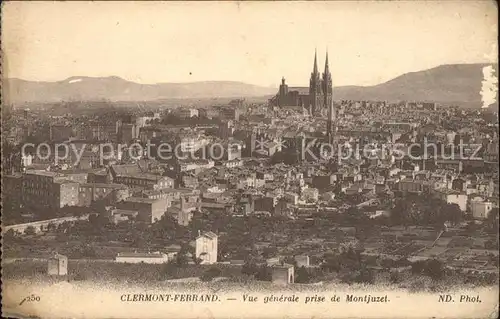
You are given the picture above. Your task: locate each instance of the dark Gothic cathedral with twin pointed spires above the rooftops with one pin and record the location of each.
(315, 98)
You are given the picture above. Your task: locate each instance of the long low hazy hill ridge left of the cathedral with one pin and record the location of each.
(117, 89)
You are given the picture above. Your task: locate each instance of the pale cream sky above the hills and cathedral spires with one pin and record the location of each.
(253, 42)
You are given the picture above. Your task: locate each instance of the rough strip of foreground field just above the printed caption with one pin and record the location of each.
(228, 277)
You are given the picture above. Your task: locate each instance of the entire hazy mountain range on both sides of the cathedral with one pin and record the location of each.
(455, 83)
